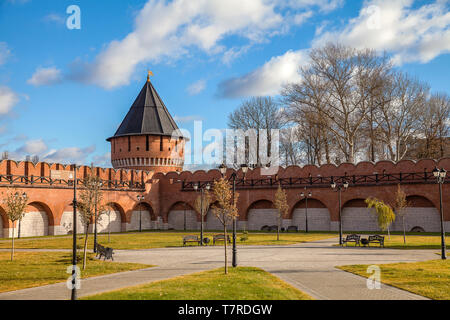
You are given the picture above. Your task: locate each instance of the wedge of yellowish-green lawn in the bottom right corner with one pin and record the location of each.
(429, 278)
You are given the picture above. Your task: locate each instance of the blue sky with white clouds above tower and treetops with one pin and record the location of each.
(63, 92)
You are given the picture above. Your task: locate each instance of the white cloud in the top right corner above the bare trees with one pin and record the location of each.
(410, 34)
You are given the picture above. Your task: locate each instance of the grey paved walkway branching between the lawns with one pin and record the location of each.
(309, 267)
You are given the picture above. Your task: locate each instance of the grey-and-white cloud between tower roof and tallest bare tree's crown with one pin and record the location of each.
(268, 79)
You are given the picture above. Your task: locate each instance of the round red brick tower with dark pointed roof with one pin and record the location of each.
(148, 138)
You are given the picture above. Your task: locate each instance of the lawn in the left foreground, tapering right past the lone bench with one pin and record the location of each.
(32, 269)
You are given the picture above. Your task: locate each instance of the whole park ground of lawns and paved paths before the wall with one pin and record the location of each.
(304, 265)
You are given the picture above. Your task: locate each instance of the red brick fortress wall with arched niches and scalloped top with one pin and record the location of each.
(163, 191)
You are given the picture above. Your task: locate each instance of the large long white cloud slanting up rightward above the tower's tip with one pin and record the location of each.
(167, 30)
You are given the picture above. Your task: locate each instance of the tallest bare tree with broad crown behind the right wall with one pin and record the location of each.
(338, 87)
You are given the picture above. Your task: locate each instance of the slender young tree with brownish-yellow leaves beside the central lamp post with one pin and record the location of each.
(226, 209)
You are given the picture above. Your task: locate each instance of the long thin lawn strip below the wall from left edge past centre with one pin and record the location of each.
(147, 240)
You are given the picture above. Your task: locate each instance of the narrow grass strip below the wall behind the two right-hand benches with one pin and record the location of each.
(412, 241)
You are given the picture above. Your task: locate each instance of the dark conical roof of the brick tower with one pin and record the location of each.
(148, 115)
